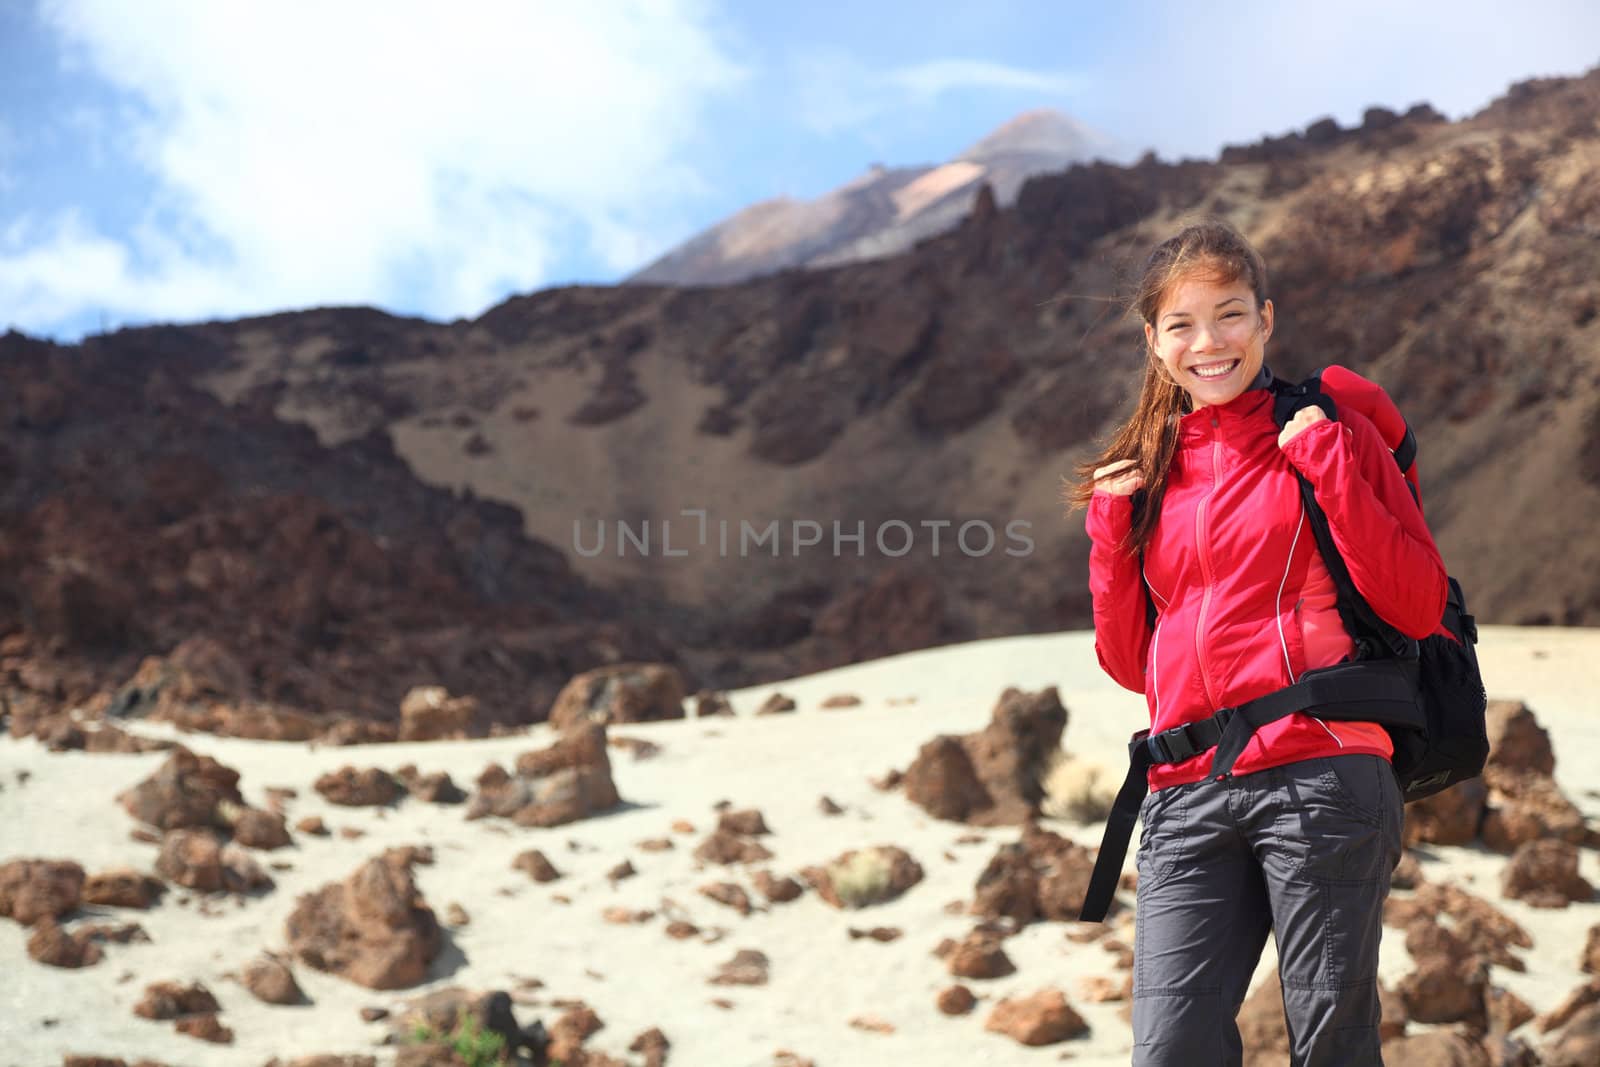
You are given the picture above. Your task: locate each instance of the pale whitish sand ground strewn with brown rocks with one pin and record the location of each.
(634, 975)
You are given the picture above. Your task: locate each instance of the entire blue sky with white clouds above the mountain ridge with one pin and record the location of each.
(172, 161)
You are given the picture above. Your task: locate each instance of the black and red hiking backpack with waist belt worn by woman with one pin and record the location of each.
(1428, 695)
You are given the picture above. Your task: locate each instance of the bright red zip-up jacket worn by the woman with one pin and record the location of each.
(1246, 601)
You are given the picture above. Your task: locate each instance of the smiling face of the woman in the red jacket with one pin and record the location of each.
(1210, 338)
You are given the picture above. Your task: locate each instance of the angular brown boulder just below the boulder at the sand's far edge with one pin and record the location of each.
(564, 783)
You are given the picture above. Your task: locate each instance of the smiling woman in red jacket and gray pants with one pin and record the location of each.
(1305, 833)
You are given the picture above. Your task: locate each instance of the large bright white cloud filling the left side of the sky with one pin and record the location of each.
(406, 154)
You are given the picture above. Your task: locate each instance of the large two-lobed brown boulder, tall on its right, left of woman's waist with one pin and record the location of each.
(991, 778)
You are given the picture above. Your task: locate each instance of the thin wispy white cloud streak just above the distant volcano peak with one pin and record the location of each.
(838, 92)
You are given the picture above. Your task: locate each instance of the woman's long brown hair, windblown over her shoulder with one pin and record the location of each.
(1210, 250)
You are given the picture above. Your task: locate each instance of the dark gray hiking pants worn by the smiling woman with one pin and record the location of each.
(1305, 850)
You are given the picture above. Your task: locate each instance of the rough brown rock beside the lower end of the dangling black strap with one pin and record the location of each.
(1041, 877)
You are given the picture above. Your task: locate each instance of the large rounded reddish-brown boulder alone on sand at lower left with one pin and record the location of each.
(374, 929)
